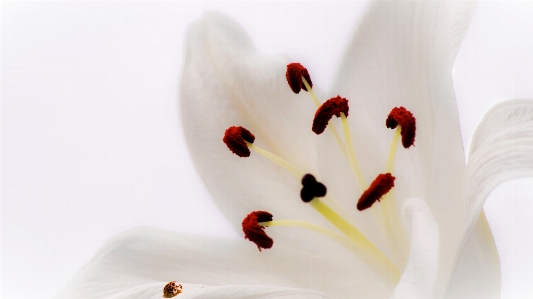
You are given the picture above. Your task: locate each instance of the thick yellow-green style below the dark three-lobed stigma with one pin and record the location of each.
(374, 256)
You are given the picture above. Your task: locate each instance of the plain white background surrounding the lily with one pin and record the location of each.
(91, 137)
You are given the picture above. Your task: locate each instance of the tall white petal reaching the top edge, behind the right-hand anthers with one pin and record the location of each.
(401, 54)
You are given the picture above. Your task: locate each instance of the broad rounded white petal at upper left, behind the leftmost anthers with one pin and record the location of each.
(226, 82)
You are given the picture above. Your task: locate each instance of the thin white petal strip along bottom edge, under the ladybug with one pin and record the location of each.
(154, 291)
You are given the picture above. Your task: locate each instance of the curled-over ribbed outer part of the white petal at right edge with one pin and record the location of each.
(502, 149)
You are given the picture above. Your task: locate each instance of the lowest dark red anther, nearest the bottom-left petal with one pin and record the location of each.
(255, 232)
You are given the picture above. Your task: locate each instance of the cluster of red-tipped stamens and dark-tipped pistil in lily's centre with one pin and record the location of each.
(240, 141)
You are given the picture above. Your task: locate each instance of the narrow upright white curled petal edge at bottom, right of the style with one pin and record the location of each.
(420, 274)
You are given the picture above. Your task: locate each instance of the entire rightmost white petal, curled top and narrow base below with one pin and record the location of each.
(502, 149)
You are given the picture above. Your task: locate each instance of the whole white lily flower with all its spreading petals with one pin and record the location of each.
(433, 243)
